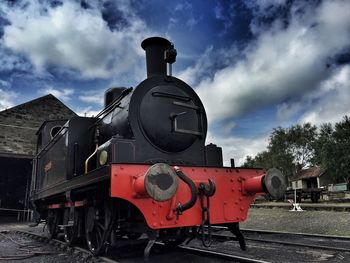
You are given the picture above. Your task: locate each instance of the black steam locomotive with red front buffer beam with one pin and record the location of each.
(141, 166)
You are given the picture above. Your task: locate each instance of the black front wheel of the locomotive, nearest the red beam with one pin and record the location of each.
(98, 225)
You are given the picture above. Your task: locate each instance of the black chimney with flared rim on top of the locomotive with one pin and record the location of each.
(157, 49)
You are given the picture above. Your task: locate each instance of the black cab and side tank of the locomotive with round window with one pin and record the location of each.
(63, 147)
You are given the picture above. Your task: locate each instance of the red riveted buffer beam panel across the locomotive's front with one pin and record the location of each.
(229, 204)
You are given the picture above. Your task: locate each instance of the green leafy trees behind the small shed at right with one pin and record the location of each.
(291, 149)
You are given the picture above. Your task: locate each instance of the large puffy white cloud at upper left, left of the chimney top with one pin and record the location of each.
(76, 38)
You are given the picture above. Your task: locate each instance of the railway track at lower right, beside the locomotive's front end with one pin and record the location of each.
(283, 246)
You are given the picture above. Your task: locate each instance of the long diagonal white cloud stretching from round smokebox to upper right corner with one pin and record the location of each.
(282, 63)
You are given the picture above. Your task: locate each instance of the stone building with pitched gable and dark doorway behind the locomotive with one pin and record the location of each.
(18, 127)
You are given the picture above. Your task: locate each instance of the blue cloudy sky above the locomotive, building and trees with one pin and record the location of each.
(256, 65)
